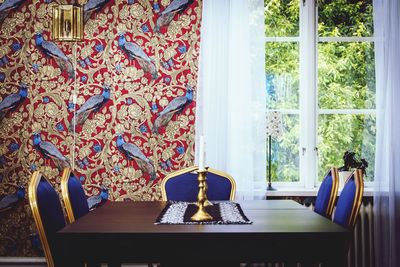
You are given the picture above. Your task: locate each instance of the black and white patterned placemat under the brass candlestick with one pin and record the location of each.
(222, 213)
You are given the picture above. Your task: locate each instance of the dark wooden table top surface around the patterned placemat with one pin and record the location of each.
(139, 217)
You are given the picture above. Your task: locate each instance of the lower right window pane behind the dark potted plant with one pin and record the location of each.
(338, 133)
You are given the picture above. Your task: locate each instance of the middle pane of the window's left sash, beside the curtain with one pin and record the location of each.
(282, 75)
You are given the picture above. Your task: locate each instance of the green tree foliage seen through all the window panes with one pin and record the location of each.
(346, 80)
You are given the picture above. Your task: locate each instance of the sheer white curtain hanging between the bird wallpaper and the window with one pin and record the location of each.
(231, 97)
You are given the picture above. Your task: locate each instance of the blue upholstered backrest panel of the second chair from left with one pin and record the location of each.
(77, 197)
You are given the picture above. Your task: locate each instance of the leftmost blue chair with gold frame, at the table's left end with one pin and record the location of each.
(47, 213)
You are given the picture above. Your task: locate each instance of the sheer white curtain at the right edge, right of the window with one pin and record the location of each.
(387, 170)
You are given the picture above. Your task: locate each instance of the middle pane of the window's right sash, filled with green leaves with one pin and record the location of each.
(346, 75)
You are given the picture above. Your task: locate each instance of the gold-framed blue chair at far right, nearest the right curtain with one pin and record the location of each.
(349, 202)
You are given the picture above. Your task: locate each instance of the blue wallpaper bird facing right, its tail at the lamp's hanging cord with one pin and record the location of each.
(92, 105)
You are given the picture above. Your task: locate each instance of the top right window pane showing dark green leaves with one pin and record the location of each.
(345, 18)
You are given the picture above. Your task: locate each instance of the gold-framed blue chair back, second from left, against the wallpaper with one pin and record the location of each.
(73, 195)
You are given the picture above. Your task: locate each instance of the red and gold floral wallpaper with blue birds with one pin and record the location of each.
(117, 107)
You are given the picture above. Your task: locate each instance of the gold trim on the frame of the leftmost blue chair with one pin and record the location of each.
(36, 176)
